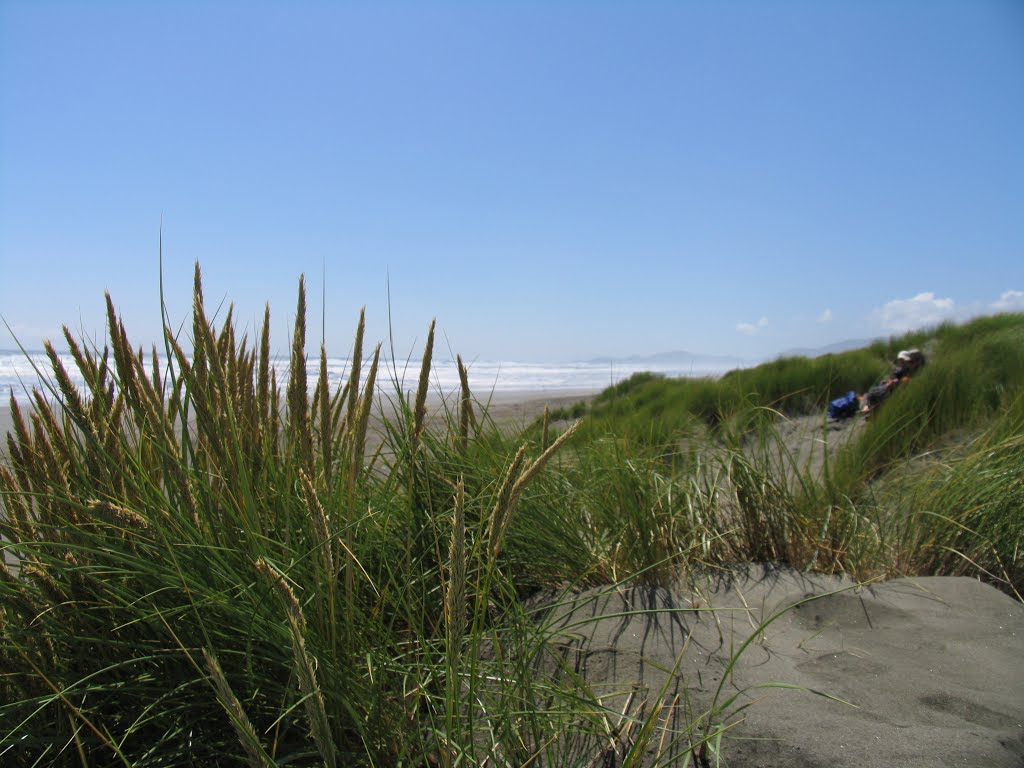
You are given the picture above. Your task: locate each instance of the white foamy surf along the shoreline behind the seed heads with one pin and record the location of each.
(20, 373)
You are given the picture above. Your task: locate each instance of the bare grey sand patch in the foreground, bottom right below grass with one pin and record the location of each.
(932, 668)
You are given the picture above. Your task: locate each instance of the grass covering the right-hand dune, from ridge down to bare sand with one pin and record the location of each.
(675, 475)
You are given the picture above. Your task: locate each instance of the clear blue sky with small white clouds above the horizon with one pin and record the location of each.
(550, 181)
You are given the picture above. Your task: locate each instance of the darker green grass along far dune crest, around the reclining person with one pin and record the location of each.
(983, 358)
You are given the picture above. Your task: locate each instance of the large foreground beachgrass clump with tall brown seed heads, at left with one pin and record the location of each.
(205, 566)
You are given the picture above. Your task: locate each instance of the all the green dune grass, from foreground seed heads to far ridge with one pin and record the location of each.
(211, 567)
